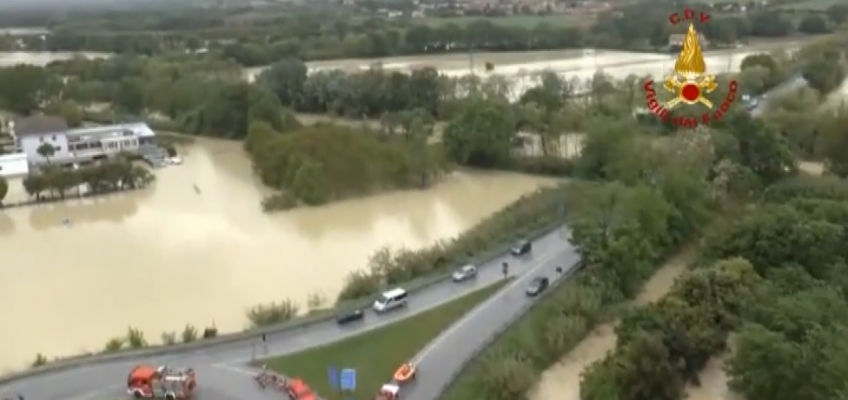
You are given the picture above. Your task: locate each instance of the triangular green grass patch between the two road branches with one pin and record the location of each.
(376, 354)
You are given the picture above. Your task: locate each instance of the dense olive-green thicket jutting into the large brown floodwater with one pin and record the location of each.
(325, 162)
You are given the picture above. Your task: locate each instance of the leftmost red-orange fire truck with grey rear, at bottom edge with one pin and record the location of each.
(145, 381)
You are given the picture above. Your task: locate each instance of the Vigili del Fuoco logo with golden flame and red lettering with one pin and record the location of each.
(689, 83)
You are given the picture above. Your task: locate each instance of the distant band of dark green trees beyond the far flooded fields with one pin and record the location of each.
(324, 34)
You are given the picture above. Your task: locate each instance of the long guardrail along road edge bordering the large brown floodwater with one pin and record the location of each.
(297, 323)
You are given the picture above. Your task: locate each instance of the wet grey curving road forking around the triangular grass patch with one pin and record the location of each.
(221, 369)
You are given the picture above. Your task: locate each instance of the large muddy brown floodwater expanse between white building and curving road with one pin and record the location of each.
(168, 256)
